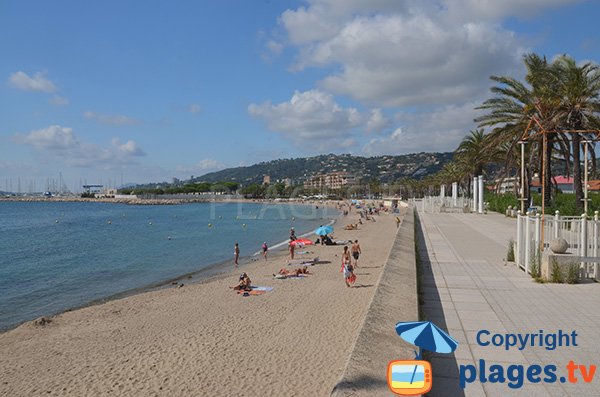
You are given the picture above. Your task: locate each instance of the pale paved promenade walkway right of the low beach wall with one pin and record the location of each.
(467, 287)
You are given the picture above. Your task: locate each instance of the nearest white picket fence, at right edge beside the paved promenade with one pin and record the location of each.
(580, 232)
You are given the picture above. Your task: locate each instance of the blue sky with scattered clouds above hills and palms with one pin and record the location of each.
(114, 92)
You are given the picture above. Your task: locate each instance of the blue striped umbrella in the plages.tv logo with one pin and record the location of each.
(426, 335)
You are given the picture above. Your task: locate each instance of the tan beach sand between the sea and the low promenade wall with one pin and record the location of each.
(203, 338)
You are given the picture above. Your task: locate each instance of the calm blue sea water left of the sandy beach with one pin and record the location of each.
(55, 256)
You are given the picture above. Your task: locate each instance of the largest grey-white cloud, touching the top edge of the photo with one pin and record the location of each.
(408, 53)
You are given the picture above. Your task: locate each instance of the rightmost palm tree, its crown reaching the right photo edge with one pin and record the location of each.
(579, 93)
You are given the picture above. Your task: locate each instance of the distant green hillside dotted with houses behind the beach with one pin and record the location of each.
(384, 168)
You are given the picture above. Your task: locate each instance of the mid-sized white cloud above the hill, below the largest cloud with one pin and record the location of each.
(311, 118)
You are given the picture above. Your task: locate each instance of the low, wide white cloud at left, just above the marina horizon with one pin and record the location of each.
(62, 144)
